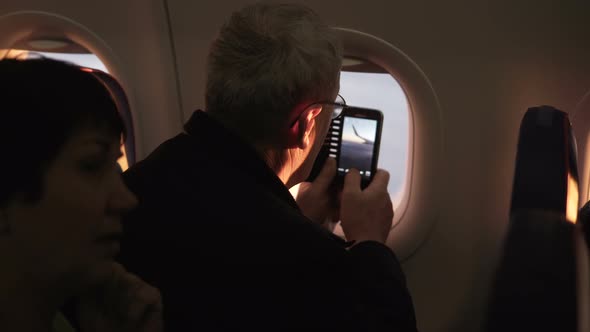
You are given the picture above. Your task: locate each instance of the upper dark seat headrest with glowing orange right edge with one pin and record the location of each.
(546, 173)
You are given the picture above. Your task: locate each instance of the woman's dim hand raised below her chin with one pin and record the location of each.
(123, 303)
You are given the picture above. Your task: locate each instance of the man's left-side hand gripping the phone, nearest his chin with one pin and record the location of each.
(318, 200)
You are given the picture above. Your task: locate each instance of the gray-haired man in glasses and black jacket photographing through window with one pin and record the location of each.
(217, 230)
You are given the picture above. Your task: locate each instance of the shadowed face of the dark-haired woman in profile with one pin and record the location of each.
(71, 234)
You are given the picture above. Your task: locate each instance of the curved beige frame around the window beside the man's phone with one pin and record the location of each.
(419, 207)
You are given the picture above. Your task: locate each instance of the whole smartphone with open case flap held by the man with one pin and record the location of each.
(353, 140)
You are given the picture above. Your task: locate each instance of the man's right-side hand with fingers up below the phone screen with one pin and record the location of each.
(366, 215)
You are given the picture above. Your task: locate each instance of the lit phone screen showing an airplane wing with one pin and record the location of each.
(357, 145)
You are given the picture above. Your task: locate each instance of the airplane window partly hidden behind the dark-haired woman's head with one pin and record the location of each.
(67, 51)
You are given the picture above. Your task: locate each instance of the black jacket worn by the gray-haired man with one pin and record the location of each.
(222, 238)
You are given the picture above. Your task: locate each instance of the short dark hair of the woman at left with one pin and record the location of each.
(42, 104)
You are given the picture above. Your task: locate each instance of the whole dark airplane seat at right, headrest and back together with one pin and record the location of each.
(535, 286)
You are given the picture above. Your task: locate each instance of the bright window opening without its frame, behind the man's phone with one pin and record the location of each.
(365, 84)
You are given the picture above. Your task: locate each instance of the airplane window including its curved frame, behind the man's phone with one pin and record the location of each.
(376, 74)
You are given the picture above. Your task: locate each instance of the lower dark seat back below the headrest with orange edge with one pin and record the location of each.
(535, 283)
